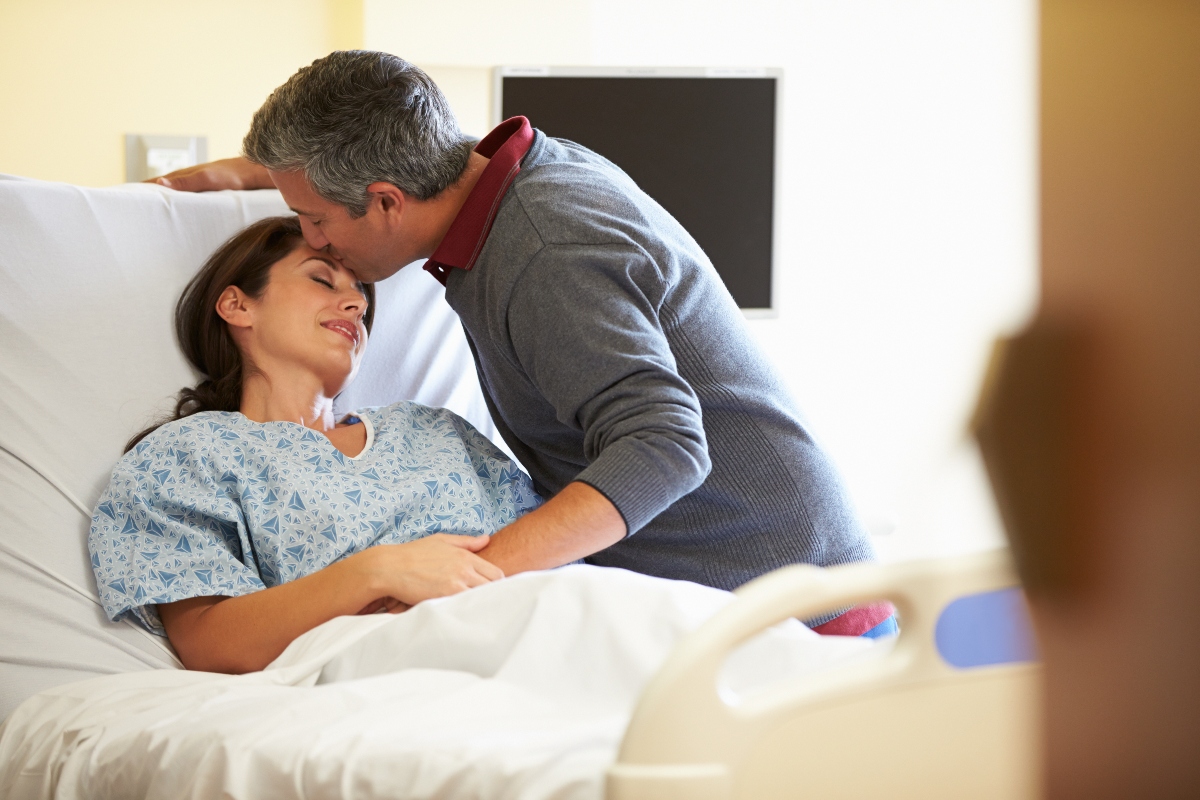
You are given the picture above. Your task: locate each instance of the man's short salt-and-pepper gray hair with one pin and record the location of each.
(355, 118)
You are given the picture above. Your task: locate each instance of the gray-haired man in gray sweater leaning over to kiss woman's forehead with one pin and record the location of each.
(614, 360)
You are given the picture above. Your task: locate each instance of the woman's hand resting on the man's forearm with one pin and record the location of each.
(434, 567)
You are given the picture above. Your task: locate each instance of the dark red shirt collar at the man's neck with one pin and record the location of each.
(506, 147)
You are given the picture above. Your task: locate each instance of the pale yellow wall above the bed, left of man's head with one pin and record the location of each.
(76, 76)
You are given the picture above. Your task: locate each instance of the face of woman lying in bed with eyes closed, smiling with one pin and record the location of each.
(308, 321)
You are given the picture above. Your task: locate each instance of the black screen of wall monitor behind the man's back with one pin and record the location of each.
(704, 148)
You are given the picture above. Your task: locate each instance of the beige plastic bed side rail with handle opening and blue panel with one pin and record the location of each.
(949, 712)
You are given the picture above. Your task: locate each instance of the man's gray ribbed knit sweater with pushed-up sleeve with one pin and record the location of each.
(611, 353)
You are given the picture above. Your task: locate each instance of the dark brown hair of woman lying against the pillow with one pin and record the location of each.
(244, 262)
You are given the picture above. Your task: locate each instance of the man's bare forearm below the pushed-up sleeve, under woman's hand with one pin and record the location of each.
(577, 522)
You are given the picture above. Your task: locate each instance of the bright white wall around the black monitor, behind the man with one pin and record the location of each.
(908, 204)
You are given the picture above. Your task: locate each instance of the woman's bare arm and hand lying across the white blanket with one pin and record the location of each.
(245, 634)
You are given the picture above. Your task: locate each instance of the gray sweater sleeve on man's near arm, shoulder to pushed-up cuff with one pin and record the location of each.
(610, 374)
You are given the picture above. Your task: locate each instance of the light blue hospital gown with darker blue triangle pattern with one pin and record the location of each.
(217, 504)
